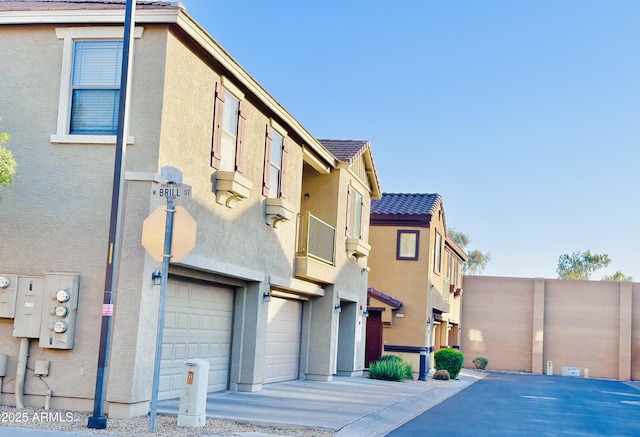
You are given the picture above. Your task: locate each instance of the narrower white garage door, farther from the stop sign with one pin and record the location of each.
(283, 340)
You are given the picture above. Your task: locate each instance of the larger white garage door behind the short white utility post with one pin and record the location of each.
(198, 320)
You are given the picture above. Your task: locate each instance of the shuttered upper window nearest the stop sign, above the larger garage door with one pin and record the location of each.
(228, 128)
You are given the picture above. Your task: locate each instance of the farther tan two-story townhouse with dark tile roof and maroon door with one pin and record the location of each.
(415, 281)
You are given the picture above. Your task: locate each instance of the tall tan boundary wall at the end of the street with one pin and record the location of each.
(520, 324)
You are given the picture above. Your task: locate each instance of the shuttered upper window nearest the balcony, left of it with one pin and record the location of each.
(275, 158)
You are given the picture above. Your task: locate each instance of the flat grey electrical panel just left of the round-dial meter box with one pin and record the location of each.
(26, 323)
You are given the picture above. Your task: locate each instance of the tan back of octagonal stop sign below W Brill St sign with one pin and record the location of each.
(183, 235)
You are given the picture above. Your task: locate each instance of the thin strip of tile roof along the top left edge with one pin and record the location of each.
(15, 5)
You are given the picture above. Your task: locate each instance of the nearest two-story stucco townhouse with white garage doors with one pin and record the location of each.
(265, 295)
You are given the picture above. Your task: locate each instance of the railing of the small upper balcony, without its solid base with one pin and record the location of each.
(316, 239)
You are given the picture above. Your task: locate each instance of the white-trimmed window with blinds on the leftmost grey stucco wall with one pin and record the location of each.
(90, 84)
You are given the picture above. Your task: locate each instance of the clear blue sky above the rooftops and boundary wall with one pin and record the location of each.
(523, 115)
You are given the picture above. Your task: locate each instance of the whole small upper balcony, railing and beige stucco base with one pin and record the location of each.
(315, 257)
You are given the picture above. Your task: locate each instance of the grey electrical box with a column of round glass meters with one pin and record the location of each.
(59, 310)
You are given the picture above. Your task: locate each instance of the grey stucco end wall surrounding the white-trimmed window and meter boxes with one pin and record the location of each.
(56, 214)
